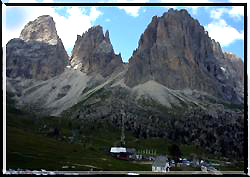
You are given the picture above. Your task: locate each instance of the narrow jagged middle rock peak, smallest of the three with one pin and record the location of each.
(93, 52)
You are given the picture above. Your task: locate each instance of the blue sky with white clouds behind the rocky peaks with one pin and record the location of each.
(126, 24)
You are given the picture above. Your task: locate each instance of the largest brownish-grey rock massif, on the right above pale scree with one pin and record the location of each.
(177, 52)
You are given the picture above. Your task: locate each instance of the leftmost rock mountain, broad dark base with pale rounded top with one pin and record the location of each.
(38, 53)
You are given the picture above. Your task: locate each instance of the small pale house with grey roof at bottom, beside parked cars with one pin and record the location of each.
(160, 164)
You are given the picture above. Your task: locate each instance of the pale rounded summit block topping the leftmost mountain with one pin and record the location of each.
(42, 29)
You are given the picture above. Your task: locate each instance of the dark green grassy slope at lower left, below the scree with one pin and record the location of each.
(26, 148)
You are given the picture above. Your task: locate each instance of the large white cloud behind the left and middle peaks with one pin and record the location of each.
(76, 21)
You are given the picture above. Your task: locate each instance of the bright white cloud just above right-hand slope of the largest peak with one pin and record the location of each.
(223, 33)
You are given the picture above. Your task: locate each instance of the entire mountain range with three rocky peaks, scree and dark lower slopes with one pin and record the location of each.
(178, 84)
